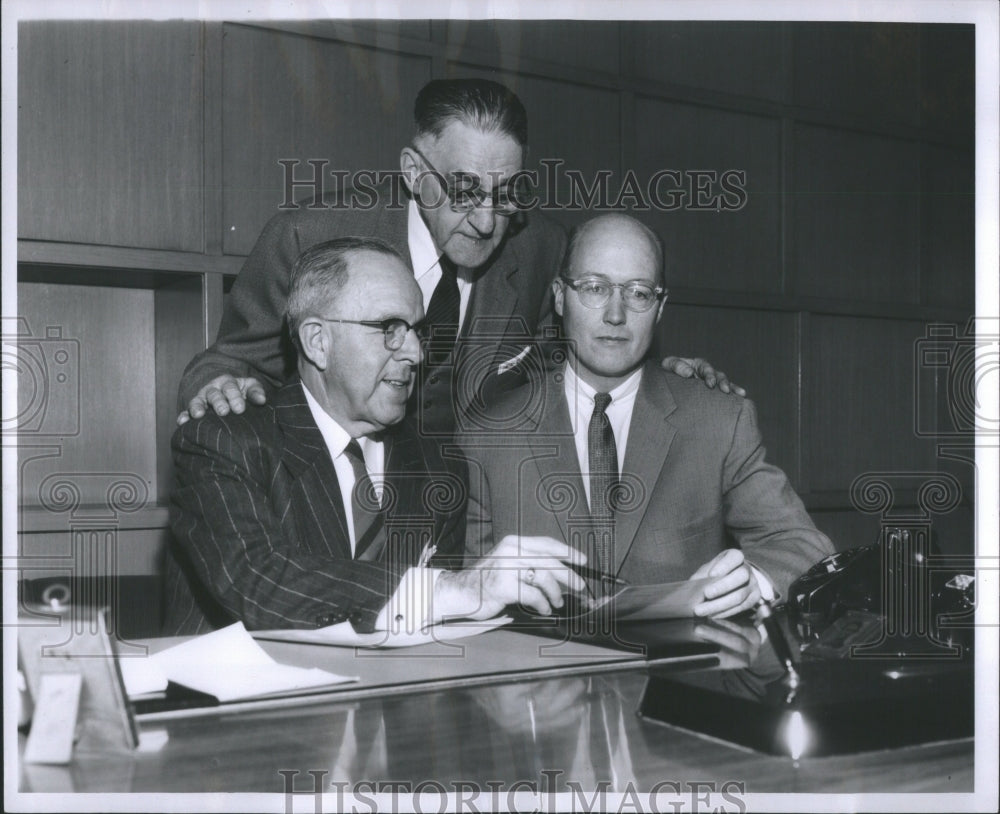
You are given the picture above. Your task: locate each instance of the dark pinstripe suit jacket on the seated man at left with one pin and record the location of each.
(259, 529)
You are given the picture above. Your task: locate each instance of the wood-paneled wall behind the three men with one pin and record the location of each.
(857, 232)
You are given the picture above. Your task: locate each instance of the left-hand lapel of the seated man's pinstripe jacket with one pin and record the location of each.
(307, 459)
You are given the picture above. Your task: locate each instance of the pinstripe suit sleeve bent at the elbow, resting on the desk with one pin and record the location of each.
(227, 524)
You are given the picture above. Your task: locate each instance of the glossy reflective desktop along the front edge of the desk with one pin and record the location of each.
(551, 731)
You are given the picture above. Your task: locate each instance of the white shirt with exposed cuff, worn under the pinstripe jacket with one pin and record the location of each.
(409, 608)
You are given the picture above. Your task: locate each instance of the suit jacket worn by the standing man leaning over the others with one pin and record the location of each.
(510, 299)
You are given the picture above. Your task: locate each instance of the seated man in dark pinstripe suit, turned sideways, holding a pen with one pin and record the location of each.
(326, 505)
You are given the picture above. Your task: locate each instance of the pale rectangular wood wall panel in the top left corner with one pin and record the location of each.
(110, 126)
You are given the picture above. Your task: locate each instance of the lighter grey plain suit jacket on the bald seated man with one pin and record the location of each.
(695, 481)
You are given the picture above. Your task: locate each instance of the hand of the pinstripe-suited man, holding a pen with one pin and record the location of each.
(531, 571)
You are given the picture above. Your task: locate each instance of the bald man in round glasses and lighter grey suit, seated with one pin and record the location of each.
(655, 477)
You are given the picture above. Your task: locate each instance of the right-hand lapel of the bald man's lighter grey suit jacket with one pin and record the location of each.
(649, 438)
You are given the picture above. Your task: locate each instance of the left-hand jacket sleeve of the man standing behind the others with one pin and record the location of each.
(250, 341)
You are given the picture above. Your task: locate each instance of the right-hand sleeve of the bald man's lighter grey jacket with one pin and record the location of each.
(762, 511)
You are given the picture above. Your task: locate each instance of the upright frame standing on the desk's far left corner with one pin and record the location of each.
(68, 640)
